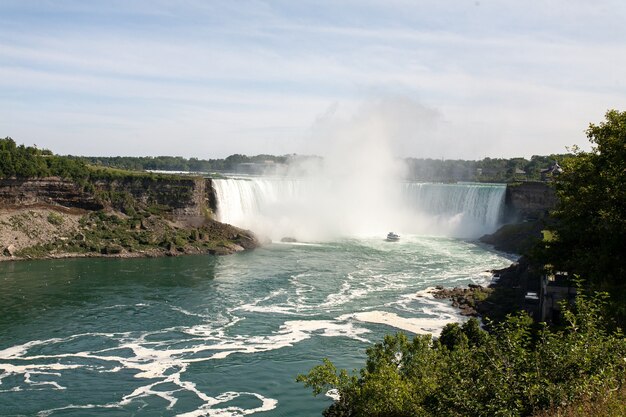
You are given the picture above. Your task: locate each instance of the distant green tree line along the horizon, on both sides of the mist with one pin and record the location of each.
(29, 162)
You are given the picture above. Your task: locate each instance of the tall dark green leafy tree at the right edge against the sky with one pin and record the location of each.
(589, 231)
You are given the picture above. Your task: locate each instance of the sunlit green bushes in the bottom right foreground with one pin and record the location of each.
(516, 370)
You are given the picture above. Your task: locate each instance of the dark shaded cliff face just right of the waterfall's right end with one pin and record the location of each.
(529, 201)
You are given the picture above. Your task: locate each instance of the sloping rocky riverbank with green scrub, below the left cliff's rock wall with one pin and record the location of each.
(51, 232)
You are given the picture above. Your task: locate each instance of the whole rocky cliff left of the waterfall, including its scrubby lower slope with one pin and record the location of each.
(124, 216)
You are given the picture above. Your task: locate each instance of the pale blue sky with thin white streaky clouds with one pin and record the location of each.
(209, 78)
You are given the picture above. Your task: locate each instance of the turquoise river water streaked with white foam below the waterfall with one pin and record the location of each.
(214, 336)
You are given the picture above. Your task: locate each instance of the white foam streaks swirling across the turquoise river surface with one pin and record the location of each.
(315, 308)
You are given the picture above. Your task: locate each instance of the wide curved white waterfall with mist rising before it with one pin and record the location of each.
(316, 210)
